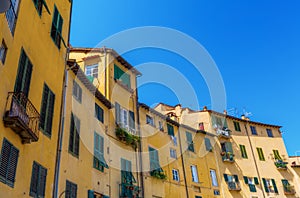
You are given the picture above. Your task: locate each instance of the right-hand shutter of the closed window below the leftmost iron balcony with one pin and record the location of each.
(13, 161)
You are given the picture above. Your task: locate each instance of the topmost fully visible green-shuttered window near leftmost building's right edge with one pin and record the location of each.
(56, 28)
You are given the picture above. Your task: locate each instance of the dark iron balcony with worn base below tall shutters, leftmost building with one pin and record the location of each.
(22, 117)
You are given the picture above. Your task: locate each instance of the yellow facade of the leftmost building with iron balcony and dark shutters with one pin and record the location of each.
(33, 50)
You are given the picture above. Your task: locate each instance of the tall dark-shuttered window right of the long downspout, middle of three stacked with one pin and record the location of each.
(74, 135)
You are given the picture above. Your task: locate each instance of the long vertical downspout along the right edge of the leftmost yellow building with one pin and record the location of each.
(62, 112)
